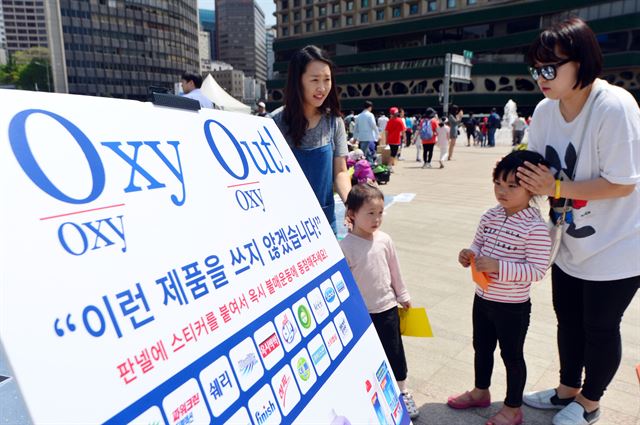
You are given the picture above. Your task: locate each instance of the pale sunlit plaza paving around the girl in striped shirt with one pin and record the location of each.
(428, 233)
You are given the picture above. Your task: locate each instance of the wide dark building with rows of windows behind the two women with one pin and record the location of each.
(393, 52)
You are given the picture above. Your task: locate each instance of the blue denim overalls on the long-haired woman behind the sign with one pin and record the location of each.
(317, 166)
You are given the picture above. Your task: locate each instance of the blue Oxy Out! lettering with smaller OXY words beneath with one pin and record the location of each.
(141, 158)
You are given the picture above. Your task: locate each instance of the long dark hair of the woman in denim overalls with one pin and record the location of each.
(293, 94)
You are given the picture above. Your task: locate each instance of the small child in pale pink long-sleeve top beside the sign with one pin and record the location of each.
(374, 263)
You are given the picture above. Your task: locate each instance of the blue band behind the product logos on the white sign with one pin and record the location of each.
(358, 319)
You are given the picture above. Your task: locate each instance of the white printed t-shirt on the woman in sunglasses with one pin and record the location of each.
(604, 241)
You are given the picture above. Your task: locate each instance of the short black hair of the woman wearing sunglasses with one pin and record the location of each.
(575, 41)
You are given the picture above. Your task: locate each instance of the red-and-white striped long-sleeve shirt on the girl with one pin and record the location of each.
(522, 246)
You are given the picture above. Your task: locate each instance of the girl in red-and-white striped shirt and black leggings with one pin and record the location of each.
(512, 247)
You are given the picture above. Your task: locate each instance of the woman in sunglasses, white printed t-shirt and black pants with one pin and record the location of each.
(589, 131)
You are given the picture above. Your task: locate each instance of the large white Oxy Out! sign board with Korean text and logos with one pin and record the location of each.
(183, 284)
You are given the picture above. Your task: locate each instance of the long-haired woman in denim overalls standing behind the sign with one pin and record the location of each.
(311, 124)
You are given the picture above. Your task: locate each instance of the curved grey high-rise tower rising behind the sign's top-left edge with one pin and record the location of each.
(118, 48)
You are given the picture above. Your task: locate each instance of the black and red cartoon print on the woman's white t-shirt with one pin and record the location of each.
(570, 160)
